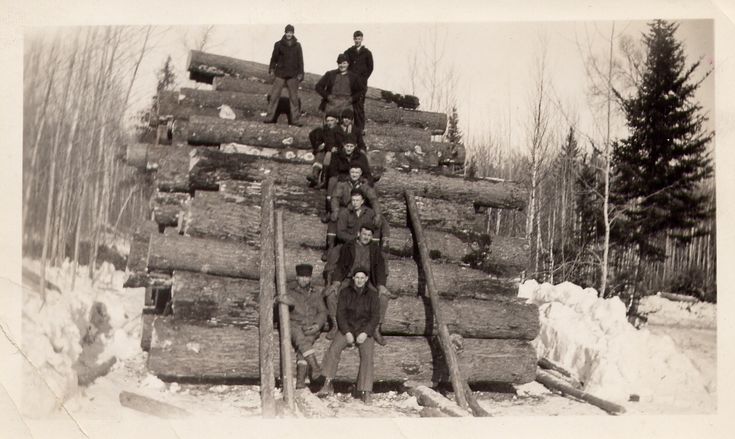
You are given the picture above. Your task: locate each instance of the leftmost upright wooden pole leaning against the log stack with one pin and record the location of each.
(265, 301)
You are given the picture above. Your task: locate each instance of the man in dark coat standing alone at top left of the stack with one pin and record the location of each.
(286, 68)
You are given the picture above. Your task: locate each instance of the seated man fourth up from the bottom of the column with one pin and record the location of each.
(340, 197)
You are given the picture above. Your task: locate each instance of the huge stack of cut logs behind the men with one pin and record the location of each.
(198, 256)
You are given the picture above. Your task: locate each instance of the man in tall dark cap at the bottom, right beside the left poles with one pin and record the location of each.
(308, 315)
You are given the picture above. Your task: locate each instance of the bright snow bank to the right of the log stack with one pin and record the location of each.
(592, 338)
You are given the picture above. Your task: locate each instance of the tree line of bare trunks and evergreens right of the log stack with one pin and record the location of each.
(628, 207)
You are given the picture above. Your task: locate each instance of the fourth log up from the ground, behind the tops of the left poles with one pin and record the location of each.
(216, 215)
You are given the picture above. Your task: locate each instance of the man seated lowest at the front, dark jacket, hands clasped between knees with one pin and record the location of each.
(357, 318)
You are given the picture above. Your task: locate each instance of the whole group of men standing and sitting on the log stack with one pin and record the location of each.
(353, 304)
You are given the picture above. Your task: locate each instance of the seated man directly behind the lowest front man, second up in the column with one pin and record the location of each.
(360, 251)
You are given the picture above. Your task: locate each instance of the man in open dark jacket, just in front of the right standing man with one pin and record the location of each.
(339, 88)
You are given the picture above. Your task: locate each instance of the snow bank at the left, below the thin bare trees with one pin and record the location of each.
(53, 332)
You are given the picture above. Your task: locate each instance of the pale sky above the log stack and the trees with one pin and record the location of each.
(492, 61)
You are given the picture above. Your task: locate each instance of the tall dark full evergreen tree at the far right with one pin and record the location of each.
(659, 166)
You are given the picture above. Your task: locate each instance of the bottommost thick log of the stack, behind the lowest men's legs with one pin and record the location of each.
(184, 350)
